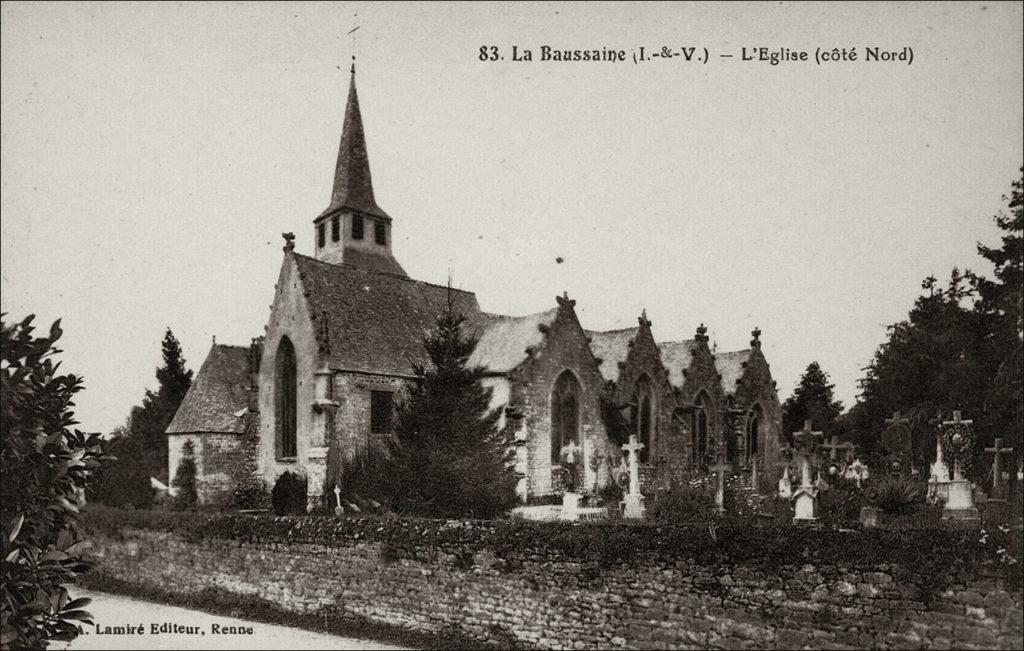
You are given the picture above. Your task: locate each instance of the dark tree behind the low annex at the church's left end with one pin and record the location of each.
(141, 446)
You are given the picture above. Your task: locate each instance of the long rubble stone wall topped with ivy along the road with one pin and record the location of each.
(563, 586)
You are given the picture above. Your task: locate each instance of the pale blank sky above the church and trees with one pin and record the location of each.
(153, 154)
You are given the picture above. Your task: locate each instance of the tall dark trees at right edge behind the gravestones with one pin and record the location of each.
(959, 349)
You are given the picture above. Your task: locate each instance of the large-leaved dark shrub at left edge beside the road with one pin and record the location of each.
(47, 466)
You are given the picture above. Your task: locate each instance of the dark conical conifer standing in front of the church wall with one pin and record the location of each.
(450, 459)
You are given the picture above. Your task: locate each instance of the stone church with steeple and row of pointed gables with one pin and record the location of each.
(319, 388)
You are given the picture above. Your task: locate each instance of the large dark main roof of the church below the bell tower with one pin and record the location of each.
(376, 322)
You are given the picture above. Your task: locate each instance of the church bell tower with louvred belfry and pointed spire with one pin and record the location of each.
(355, 230)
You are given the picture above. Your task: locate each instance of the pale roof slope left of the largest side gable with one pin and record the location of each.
(503, 340)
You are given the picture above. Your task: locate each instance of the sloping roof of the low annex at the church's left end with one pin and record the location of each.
(220, 392)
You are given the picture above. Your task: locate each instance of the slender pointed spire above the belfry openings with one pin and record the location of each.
(353, 186)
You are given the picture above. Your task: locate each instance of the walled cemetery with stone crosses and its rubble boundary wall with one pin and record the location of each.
(839, 555)
